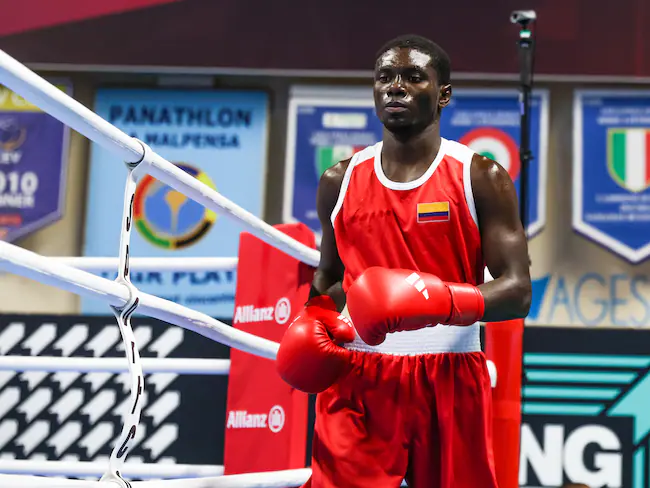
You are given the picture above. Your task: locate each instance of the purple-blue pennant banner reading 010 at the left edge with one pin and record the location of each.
(33, 163)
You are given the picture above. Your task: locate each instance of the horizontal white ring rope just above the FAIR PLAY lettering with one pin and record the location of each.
(151, 264)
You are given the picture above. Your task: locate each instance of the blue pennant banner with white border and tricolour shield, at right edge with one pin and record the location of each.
(611, 200)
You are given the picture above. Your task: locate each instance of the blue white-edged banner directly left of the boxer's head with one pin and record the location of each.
(325, 126)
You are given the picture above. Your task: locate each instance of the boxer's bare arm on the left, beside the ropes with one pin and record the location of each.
(328, 278)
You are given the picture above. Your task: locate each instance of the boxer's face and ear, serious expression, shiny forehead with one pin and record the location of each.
(406, 89)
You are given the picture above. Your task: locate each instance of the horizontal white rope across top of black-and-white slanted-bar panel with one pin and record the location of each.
(55, 364)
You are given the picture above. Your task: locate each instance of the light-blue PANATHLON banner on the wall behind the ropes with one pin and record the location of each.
(219, 137)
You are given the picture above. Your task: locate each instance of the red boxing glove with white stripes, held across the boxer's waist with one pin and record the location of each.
(384, 300)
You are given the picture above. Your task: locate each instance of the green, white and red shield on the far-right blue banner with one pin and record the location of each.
(628, 157)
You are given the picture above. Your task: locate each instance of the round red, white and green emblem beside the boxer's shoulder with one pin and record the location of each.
(496, 145)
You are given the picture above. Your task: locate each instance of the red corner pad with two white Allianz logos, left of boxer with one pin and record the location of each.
(266, 420)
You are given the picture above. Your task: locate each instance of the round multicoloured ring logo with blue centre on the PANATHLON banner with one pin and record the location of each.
(166, 218)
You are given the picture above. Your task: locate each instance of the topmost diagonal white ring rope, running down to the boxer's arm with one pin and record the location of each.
(43, 94)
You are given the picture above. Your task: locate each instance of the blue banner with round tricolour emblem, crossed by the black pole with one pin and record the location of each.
(488, 121)
